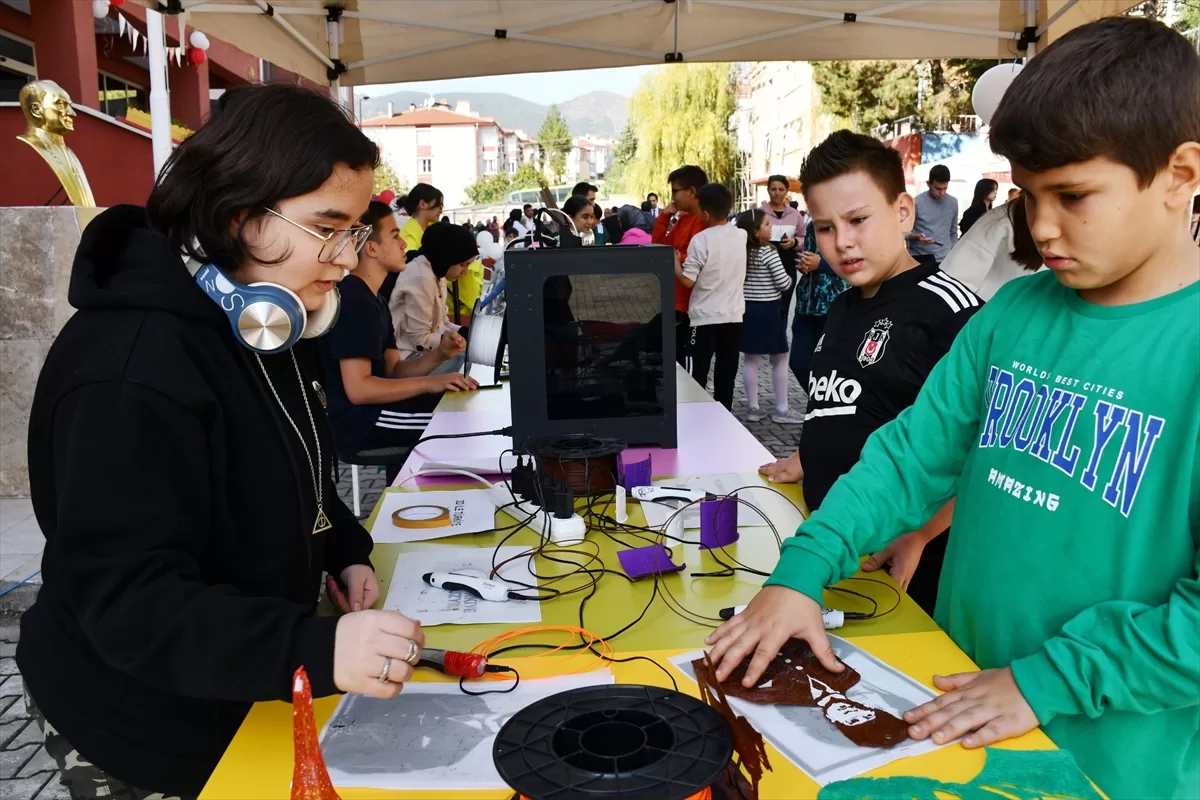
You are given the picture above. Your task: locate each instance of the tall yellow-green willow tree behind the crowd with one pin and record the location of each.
(681, 116)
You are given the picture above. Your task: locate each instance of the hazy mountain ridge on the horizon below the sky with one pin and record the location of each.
(599, 113)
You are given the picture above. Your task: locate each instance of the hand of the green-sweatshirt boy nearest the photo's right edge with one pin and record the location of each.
(988, 706)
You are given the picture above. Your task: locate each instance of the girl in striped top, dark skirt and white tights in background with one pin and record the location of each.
(764, 329)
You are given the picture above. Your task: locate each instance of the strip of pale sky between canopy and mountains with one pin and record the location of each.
(537, 87)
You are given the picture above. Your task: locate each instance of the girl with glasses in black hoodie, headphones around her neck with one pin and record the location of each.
(182, 462)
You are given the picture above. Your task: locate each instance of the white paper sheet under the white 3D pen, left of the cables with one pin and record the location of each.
(410, 596)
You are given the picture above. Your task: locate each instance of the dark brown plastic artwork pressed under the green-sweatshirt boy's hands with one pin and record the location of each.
(797, 678)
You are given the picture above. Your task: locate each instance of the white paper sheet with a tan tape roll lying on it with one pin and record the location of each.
(470, 512)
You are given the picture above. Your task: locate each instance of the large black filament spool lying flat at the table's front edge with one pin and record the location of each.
(627, 742)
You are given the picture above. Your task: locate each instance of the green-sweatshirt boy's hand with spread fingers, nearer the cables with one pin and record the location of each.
(776, 616)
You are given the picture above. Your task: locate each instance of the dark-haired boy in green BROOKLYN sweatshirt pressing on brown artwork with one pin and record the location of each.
(1065, 420)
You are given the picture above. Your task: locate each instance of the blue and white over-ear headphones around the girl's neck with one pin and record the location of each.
(265, 317)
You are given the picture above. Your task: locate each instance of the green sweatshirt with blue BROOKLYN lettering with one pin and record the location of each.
(1069, 432)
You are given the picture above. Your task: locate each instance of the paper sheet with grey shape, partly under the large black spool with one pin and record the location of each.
(433, 737)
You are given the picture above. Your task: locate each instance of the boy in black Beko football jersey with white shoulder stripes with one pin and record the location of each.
(881, 340)
